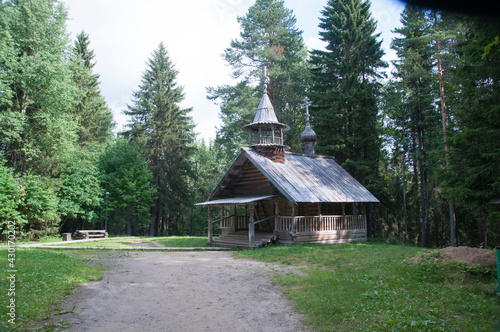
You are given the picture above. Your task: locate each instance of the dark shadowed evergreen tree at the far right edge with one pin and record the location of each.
(474, 175)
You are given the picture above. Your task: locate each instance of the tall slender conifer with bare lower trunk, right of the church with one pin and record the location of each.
(419, 115)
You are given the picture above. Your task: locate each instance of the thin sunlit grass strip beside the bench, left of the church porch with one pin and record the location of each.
(145, 242)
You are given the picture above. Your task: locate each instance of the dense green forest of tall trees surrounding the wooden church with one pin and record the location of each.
(423, 136)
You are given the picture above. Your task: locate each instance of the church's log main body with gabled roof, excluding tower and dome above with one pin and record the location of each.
(307, 199)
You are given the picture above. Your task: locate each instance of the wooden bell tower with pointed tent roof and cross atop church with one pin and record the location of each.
(266, 132)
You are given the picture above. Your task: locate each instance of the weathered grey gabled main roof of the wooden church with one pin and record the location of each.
(304, 179)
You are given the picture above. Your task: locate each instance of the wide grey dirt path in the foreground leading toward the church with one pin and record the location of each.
(182, 291)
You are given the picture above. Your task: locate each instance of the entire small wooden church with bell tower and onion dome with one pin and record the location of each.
(271, 194)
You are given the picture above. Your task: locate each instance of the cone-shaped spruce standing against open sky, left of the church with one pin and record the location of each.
(164, 131)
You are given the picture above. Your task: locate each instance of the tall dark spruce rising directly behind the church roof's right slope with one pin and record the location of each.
(346, 89)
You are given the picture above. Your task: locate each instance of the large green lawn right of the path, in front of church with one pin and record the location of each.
(371, 287)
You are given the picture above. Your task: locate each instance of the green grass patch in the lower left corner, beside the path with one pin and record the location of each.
(43, 278)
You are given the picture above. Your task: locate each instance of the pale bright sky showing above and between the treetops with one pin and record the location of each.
(124, 33)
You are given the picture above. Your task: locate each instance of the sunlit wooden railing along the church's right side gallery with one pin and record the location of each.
(301, 224)
